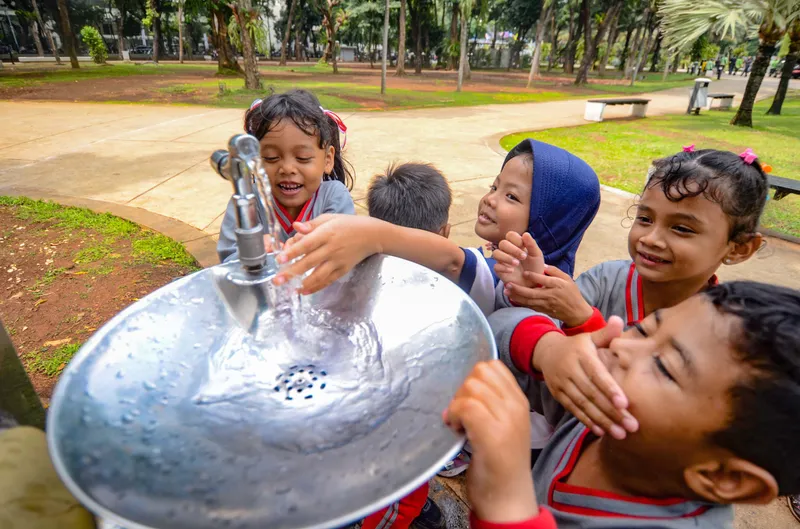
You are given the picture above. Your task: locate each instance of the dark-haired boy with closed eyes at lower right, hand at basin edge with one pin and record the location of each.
(715, 382)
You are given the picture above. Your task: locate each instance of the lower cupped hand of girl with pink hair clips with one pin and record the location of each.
(556, 295)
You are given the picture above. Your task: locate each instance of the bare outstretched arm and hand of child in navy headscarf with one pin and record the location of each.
(334, 244)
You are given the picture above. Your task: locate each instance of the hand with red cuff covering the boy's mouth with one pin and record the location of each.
(579, 380)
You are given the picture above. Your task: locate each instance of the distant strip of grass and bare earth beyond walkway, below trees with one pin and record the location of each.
(356, 87)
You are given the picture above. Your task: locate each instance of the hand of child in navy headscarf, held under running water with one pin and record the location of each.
(332, 245)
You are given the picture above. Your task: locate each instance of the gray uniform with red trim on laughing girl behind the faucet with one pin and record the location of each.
(331, 197)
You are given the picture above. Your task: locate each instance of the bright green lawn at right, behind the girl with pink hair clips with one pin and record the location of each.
(621, 151)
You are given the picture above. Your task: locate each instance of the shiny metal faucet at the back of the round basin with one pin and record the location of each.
(241, 165)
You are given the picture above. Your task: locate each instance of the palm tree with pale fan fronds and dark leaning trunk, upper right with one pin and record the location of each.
(684, 21)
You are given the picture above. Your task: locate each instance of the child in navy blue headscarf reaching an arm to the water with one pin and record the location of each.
(541, 189)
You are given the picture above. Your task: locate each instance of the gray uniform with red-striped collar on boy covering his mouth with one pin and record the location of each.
(577, 507)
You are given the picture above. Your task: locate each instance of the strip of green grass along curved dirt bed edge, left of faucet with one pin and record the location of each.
(147, 245)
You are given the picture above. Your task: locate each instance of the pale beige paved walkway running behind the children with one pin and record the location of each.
(150, 164)
